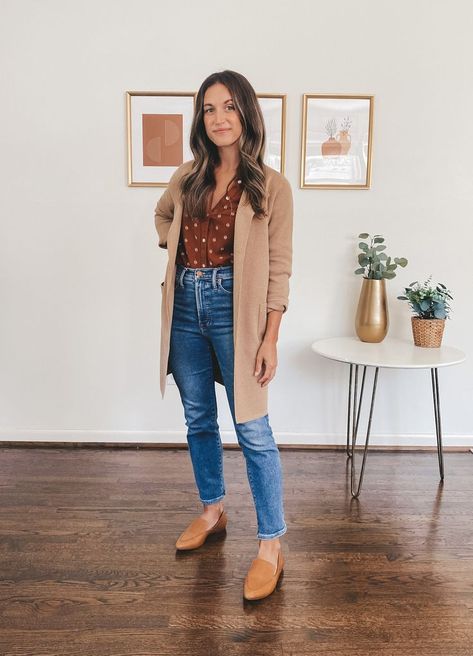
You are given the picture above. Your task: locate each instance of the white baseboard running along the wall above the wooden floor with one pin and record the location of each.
(228, 437)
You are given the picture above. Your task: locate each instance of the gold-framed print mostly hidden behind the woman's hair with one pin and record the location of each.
(273, 107)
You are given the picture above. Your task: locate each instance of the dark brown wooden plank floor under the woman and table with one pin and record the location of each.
(88, 565)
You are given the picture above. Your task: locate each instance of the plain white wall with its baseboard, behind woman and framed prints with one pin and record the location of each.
(80, 266)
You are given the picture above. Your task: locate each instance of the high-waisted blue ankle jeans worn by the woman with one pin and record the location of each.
(202, 320)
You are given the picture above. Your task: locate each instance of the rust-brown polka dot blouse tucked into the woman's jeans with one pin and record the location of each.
(209, 242)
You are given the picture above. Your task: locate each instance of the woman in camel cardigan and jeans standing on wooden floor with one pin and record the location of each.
(226, 220)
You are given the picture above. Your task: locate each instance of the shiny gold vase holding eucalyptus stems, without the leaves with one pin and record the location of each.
(372, 319)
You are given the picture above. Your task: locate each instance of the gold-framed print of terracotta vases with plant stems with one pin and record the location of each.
(337, 135)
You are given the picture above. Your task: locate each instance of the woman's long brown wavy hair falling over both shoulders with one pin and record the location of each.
(200, 181)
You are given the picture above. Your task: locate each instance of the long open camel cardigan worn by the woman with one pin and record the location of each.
(262, 267)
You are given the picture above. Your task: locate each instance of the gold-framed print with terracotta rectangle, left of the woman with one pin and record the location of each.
(158, 131)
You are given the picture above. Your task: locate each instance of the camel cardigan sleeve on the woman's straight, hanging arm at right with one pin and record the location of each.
(280, 225)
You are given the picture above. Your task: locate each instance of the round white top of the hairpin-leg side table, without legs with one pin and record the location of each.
(391, 352)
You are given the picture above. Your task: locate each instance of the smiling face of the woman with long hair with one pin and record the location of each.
(221, 119)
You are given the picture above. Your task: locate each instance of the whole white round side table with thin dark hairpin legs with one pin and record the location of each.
(390, 353)
